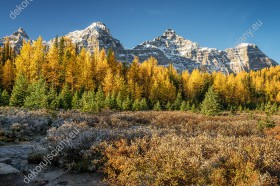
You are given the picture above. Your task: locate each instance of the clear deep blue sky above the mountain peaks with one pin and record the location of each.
(212, 23)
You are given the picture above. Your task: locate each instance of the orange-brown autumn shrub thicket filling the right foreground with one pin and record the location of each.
(201, 160)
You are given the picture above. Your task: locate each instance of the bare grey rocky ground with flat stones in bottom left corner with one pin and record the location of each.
(14, 164)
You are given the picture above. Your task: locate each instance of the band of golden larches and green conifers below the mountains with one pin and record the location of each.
(63, 77)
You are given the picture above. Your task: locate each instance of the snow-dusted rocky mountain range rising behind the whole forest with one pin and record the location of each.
(167, 48)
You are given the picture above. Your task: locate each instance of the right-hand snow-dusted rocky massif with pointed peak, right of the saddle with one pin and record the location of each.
(185, 54)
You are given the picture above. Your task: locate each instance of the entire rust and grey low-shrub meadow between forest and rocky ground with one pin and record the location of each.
(159, 148)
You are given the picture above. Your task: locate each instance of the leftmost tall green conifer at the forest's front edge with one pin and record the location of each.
(19, 92)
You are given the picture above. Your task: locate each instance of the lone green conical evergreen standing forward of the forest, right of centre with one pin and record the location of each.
(210, 105)
